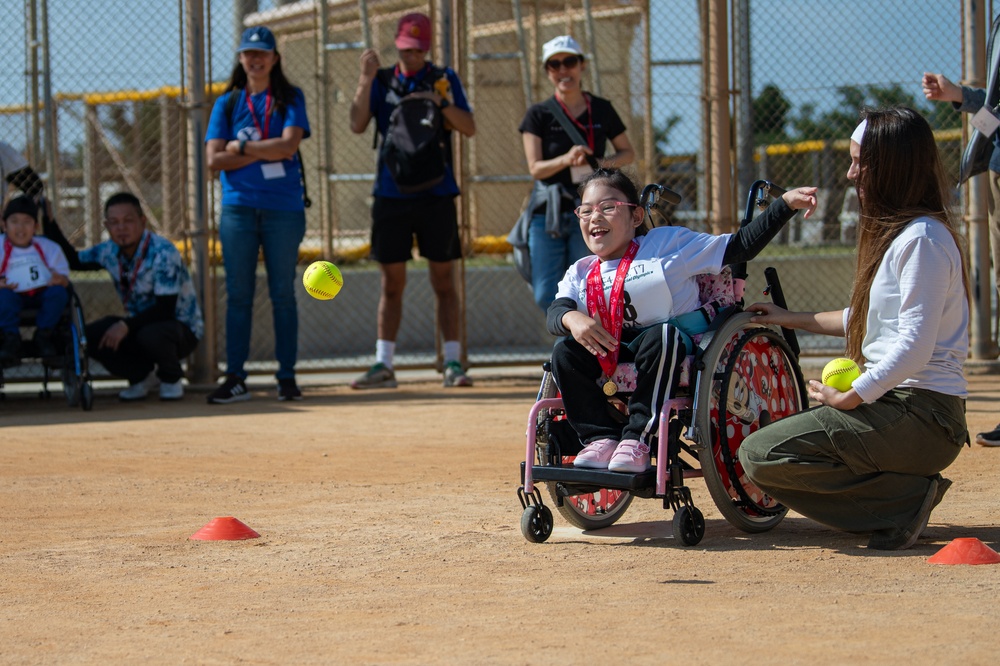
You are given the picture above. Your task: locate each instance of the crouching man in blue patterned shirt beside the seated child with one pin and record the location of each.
(163, 321)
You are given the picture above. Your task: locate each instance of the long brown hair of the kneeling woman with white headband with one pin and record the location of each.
(900, 179)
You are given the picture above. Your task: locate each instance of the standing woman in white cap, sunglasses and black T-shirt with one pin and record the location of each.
(565, 139)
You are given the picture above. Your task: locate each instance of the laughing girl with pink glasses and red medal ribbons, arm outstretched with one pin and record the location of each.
(632, 301)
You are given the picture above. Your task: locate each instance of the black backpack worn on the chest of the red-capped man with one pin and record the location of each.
(415, 149)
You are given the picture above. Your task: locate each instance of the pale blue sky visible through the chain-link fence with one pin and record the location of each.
(122, 44)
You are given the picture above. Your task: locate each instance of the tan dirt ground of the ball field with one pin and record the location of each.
(390, 535)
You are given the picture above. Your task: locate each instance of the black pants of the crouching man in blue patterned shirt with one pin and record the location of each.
(160, 345)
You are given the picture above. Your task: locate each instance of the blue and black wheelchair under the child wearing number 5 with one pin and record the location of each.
(72, 365)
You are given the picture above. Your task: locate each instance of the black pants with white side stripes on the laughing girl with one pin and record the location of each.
(658, 353)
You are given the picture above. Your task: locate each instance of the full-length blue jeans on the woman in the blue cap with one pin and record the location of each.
(243, 231)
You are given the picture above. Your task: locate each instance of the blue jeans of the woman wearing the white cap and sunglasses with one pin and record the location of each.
(550, 257)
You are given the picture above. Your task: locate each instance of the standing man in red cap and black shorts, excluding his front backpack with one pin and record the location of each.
(429, 214)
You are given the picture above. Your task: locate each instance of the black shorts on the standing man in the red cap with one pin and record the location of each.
(433, 220)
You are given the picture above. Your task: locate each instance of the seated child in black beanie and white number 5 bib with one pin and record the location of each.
(33, 275)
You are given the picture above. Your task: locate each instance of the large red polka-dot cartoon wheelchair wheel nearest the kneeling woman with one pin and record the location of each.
(751, 378)
